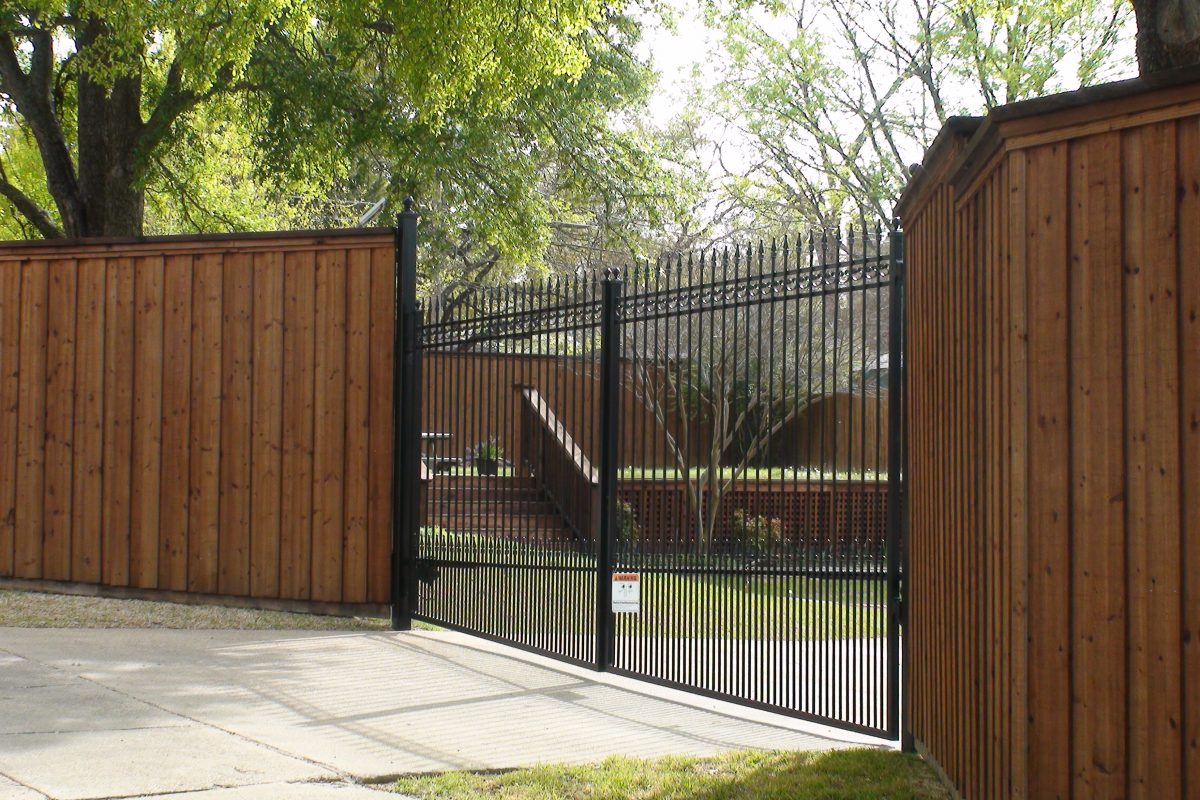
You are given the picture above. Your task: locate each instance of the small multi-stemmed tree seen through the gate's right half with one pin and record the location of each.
(724, 378)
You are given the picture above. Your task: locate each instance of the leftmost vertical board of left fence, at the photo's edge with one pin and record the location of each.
(10, 377)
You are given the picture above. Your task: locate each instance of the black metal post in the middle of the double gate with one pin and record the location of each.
(610, 430)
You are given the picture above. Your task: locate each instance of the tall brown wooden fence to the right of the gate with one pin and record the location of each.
(1054, 329)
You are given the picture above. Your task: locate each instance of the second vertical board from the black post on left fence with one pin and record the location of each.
(358, 431)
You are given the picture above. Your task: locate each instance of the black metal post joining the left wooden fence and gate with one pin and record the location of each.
(406, 426)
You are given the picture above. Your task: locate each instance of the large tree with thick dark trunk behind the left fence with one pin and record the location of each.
(109, 89)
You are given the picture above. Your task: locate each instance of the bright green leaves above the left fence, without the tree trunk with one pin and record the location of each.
(503, 118)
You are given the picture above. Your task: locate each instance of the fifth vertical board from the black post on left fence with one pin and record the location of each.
(268, 424)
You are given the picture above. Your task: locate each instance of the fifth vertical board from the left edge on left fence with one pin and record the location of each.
(119, 321)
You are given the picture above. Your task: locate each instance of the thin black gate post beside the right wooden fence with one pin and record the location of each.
(897, 472)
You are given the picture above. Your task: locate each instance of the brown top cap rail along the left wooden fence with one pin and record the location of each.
(248, 240)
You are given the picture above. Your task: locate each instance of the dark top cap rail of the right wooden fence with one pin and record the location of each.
(980, 137)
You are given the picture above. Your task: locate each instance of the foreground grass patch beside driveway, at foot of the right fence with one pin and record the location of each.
(838, 775)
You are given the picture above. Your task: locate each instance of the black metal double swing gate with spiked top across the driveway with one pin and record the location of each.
(686, 472)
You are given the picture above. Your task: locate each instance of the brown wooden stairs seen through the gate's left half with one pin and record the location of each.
(511, 508)
